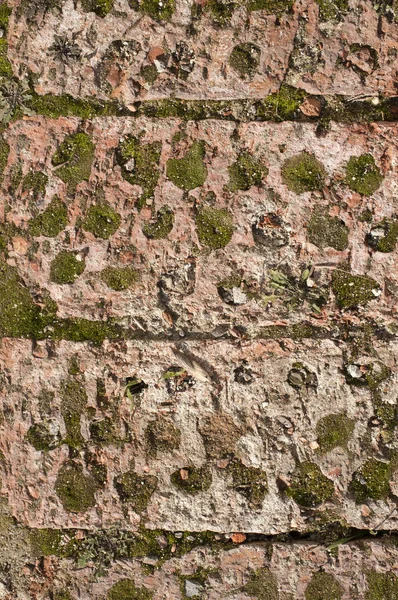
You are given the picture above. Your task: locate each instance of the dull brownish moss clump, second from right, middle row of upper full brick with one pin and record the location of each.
(327, 232)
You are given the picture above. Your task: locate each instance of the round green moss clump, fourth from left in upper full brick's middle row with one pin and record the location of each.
(214, 227)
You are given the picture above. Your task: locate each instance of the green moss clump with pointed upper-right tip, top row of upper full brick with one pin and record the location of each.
(188, 172)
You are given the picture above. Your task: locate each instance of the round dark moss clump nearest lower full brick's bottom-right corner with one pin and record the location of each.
(371, 481)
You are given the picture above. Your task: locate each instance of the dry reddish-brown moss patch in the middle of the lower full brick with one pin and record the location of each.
(220, 435)
